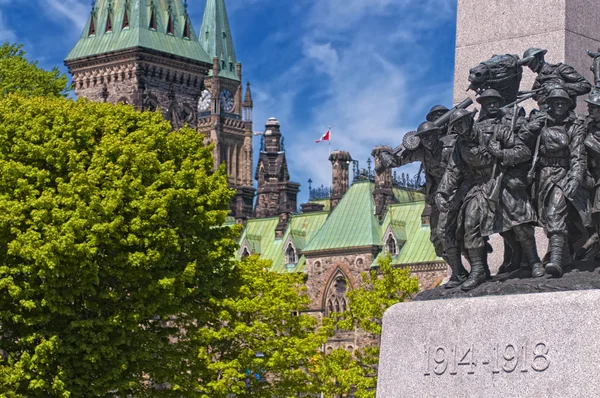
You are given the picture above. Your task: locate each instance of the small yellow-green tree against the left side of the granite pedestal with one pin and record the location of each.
(341, 373)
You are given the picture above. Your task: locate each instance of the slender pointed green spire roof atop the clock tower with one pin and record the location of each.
(216, 39)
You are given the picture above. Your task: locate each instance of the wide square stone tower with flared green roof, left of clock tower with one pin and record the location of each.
(143, 53)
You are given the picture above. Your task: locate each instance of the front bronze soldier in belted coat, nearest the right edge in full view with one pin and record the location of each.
(563, 207)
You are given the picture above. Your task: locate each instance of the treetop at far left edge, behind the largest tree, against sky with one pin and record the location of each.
(18, 75)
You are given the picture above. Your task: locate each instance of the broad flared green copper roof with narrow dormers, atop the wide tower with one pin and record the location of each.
(140, 31)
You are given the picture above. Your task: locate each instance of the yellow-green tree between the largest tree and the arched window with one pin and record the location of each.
(262, 345)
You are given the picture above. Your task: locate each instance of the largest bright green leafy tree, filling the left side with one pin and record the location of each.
(110, 248)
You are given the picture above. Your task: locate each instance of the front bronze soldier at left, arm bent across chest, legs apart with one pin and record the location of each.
(479, 161)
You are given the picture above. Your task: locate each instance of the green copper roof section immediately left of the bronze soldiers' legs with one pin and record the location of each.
(417, 248)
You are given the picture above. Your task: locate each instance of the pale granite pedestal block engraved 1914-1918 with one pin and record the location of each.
(513, 346)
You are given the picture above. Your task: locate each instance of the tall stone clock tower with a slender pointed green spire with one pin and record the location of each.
(223, 117)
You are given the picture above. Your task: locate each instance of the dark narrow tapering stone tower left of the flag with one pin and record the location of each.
(277, 195)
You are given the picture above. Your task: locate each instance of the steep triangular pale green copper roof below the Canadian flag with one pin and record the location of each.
(352, 223)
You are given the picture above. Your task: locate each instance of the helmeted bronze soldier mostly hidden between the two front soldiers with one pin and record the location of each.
(492, 116)
